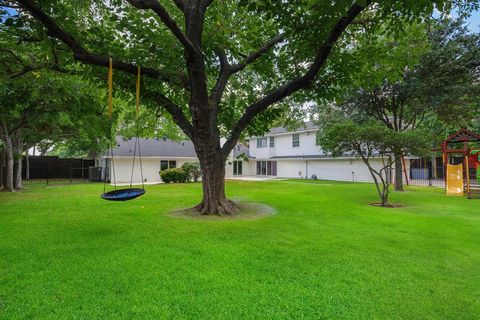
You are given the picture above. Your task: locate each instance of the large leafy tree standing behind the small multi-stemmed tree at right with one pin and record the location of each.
(426, 76)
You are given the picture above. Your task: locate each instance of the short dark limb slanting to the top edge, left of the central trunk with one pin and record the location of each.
(167, 20)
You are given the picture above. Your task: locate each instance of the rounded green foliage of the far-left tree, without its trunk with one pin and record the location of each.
(50, 111)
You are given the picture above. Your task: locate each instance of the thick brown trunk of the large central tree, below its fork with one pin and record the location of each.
(213, 183)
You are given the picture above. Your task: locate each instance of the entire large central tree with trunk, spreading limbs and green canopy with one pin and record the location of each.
(216, 66)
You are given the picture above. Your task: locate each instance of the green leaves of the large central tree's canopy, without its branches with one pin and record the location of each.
(117, 29)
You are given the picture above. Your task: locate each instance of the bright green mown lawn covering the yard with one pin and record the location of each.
(67, 254)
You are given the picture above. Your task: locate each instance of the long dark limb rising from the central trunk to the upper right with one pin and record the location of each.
(297, 83)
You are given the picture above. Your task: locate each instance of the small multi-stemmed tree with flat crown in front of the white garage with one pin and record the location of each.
(371, 141)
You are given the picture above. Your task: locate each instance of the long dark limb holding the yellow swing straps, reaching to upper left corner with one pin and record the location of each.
(81, 54)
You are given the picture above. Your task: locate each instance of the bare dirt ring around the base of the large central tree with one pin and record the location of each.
(248, 211)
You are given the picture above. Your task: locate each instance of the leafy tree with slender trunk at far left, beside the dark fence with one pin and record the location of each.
(48, 109)
